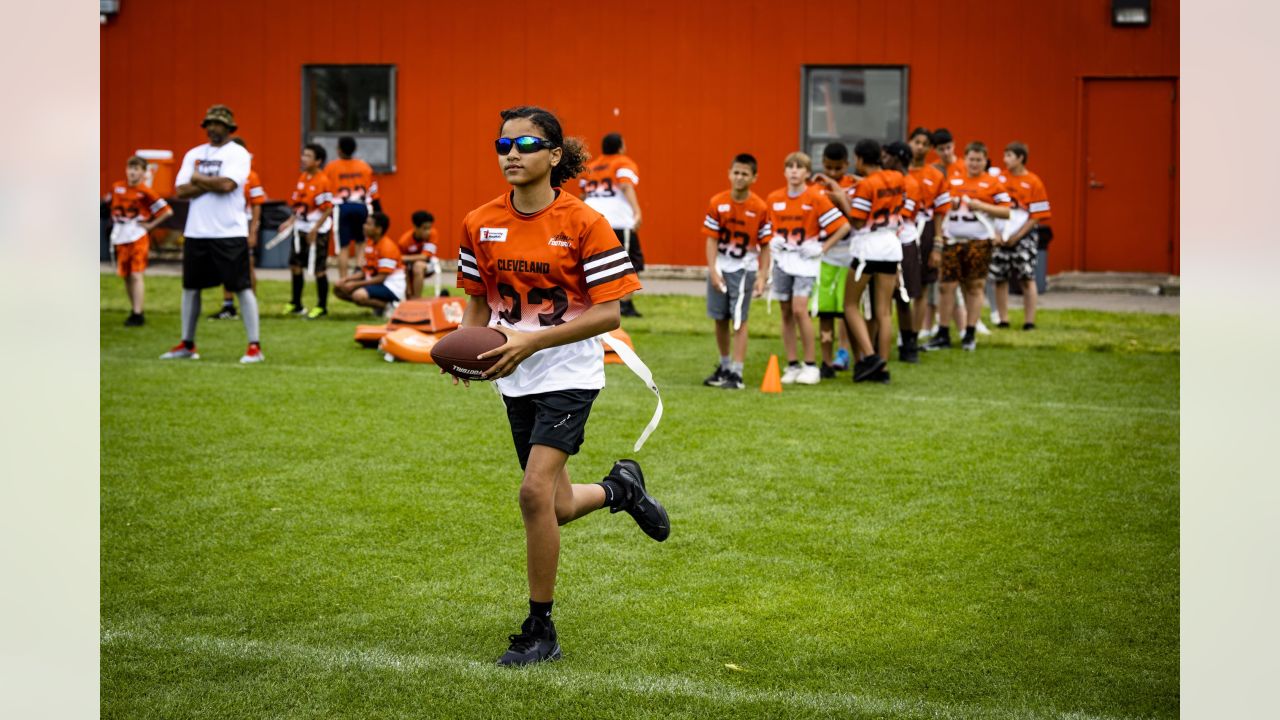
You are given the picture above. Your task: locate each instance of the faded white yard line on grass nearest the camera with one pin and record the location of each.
(570, 680)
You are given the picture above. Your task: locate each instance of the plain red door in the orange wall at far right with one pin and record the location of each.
(1130, 175)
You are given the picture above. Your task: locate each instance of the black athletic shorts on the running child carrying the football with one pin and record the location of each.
(556, 420)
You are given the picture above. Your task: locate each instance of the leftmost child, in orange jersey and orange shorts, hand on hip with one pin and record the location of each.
(135, 213)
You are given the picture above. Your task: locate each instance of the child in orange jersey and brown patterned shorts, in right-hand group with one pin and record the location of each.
(962, 247)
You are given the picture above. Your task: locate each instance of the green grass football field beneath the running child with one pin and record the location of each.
(326, 535)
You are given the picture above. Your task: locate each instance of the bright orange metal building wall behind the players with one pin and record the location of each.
(693, 83)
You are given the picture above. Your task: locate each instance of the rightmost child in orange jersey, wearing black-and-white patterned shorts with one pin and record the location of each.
(1017, 256)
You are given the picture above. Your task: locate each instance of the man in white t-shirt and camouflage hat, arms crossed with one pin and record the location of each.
(216, 252)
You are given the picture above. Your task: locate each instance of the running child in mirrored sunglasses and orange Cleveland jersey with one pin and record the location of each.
(548, 272)
